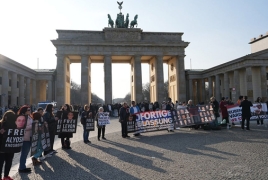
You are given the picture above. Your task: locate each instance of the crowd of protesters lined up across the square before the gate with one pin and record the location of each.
(123, 111)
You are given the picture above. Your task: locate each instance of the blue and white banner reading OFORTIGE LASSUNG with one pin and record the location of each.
(154, 120)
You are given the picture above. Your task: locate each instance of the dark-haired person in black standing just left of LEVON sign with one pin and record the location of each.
(49, 117)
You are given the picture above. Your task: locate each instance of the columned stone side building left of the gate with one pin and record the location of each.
(21, 85)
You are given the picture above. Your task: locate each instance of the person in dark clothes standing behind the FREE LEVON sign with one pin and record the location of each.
(65, 137)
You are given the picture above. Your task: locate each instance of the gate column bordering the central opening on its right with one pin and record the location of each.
(137, 79)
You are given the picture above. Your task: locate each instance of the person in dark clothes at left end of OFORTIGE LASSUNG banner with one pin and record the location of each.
(124, 116)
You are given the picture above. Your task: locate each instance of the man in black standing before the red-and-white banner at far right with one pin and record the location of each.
(246, 112)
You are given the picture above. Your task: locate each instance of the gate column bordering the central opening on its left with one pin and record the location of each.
(108, 79)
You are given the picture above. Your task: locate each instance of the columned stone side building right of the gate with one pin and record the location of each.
(245, 76)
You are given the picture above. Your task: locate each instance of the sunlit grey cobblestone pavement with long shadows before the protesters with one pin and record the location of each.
(183, 154)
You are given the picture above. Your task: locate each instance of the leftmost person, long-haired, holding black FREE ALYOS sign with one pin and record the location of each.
(5, 157)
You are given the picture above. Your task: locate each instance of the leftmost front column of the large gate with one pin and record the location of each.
(61, 80)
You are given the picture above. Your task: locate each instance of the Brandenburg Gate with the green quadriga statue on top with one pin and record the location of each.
(121, 44)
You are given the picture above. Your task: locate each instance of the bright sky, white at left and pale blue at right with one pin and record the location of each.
(218, 30)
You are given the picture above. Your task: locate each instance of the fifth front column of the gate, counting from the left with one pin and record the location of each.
(159, 79)
